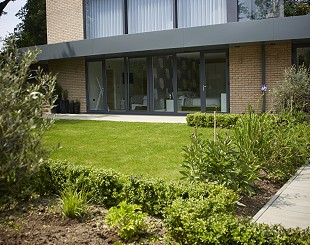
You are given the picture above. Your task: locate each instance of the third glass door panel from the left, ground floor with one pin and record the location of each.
(137, 82)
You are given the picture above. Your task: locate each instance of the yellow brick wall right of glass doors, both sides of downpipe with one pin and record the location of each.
(245, 69)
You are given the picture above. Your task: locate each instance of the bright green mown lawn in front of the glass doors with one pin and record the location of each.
(148, 149)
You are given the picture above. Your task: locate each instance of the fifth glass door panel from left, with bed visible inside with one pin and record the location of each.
(188, 82)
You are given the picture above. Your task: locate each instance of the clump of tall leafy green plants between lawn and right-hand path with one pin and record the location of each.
(233, 161)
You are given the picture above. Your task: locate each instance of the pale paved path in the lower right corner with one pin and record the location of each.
(290, 207)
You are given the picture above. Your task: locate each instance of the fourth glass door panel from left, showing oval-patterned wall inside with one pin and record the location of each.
(163, 83)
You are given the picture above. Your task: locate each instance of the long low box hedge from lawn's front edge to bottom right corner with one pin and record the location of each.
(193, 213)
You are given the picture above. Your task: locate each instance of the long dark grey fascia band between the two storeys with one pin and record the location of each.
(268, 30)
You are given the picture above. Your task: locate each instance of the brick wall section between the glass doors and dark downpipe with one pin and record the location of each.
(245, 68)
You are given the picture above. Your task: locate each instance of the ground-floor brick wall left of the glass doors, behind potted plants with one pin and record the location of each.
(71, 76)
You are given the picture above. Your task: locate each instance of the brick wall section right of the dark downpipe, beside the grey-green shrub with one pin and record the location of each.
(278, 58)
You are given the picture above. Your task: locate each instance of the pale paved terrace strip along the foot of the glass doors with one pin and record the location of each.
(121, 118)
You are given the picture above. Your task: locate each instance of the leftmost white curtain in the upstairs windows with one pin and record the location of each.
(104, 18)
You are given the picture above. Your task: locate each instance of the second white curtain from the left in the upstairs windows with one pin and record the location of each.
(146, 15)
